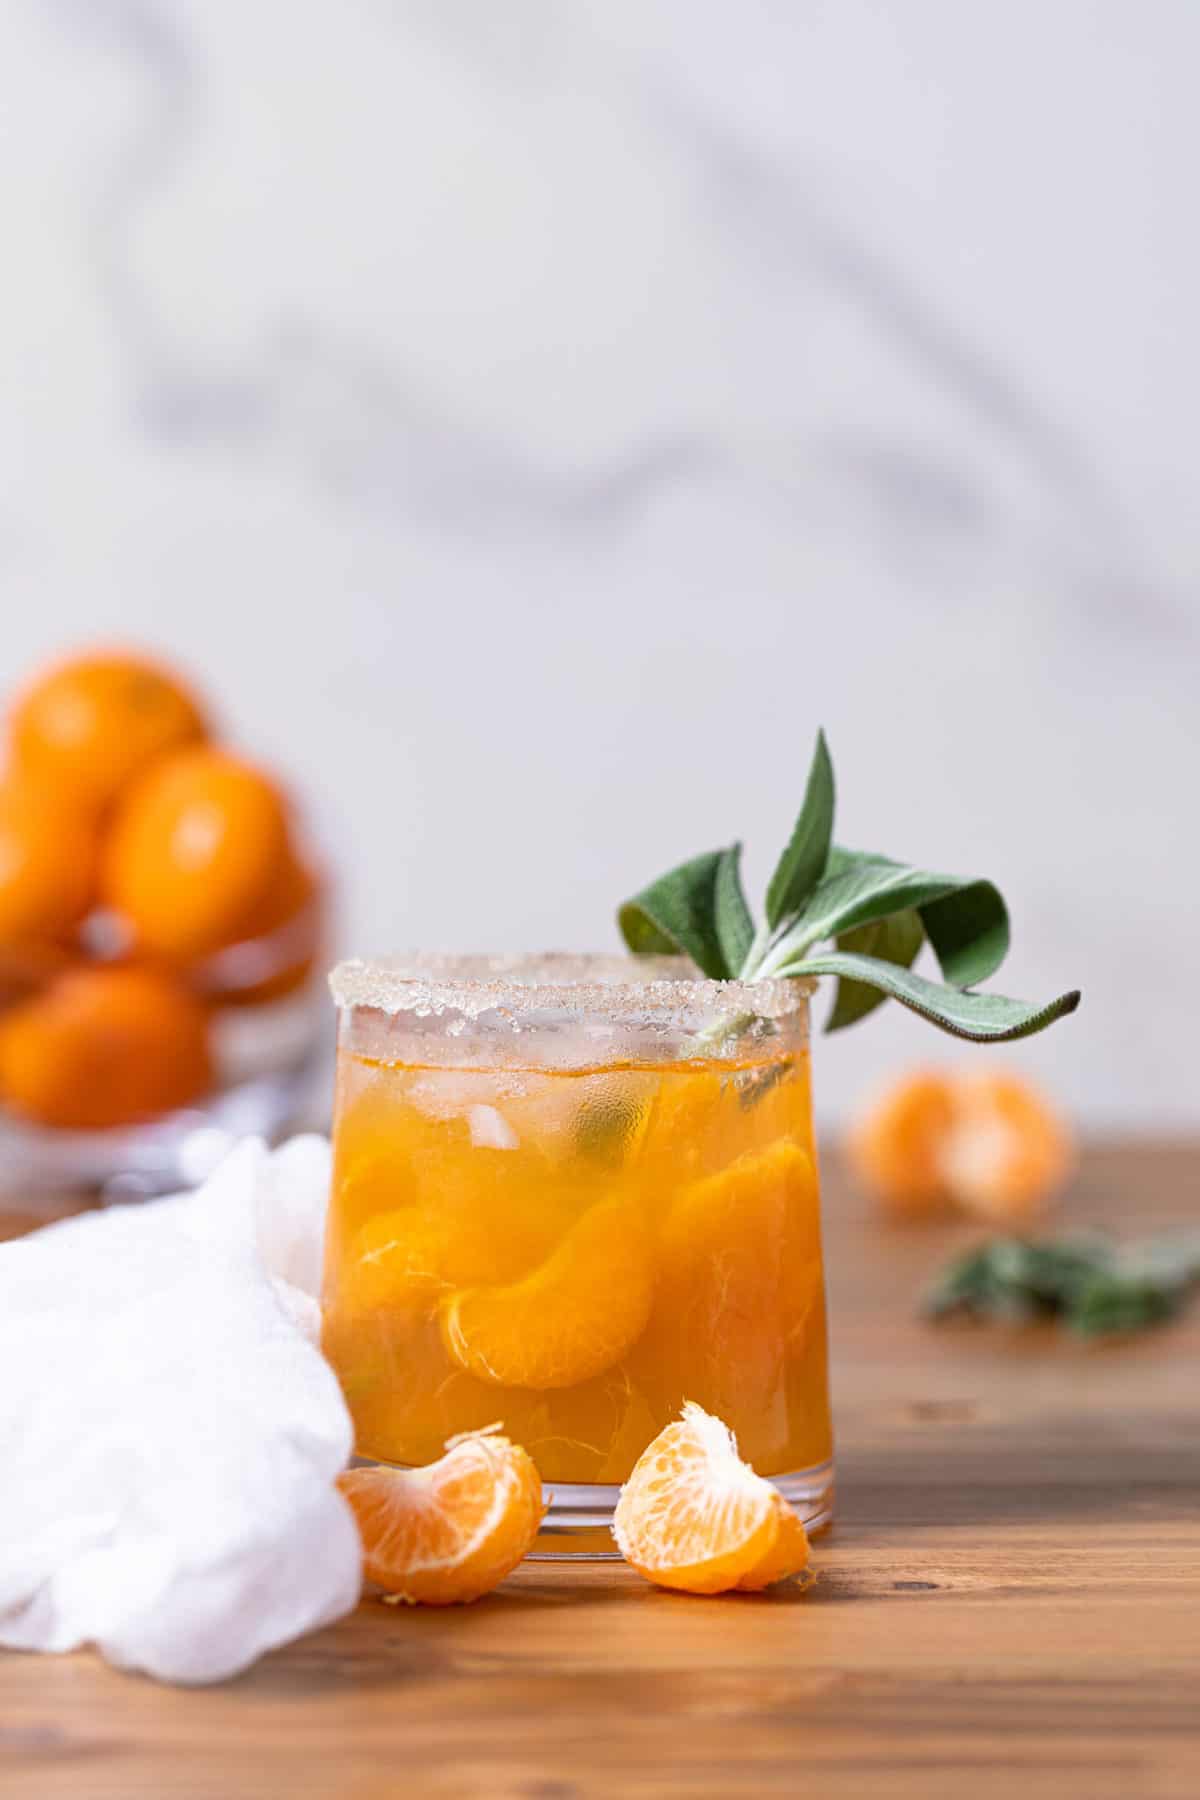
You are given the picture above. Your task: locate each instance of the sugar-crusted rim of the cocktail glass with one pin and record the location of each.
(555, 982)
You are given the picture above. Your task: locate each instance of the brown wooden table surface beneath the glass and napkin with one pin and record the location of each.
(1008, 1605)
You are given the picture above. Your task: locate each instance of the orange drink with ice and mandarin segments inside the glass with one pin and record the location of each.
(578, 1254)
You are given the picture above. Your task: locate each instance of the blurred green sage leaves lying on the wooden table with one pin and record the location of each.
(1093, 1286)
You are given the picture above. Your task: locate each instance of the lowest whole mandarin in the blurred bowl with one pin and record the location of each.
(105, 1047)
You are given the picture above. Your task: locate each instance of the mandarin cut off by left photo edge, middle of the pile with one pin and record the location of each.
(49, 852)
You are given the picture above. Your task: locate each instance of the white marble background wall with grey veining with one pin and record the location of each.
(533, 418)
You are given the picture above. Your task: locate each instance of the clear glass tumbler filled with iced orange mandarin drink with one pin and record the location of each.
(571, 1194)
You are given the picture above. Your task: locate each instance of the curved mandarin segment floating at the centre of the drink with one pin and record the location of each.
(571, 1318)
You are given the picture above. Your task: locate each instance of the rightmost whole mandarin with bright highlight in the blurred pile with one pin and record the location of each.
(193, 852)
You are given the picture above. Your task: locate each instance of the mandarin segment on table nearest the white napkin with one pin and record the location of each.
(454, 1531)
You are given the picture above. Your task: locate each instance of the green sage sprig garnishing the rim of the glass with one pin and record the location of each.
(877, 915)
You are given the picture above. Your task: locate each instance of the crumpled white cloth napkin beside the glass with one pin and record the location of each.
(170, 1434)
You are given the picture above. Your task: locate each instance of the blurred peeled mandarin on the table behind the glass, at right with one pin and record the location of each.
(978, 1138)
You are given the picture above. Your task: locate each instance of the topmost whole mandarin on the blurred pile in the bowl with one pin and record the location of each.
(94, 723)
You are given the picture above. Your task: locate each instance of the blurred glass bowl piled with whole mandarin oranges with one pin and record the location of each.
(163, 930)
